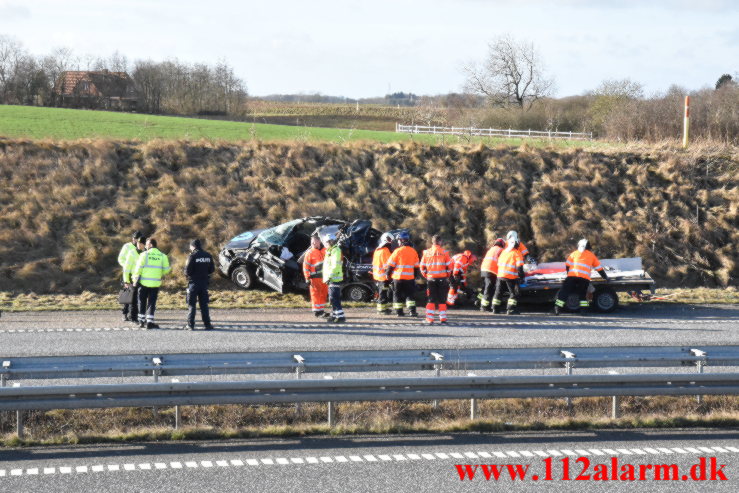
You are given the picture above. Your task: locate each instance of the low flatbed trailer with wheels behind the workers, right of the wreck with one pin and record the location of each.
(543, 282)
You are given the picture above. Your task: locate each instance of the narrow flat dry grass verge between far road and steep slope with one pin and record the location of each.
(258, 298)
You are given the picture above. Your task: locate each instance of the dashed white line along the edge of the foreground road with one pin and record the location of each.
(341, 459)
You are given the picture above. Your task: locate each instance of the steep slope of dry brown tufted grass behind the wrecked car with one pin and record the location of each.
(67, 207)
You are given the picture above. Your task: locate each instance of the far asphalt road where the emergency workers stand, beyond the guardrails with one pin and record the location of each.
(102, 332)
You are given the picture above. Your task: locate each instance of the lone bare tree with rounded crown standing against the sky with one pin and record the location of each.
(512, 74)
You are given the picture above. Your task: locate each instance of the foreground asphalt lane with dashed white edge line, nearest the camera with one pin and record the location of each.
(415, 463)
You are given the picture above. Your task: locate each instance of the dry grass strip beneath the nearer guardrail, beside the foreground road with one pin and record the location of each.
(208, 422)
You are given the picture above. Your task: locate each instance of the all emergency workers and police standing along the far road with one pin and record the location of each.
(394, 271)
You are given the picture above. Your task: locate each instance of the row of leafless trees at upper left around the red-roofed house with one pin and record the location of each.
(170, 87)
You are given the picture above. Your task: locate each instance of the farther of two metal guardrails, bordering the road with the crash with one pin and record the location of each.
(182, 364)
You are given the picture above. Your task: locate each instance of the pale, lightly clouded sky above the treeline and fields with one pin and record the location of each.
(360, 49)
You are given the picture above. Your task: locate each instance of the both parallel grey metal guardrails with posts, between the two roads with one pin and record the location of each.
(297, 390)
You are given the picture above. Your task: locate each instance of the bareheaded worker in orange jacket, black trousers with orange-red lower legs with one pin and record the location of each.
(436, 267)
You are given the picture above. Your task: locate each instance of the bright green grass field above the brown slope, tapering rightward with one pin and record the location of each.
(67, 124)
